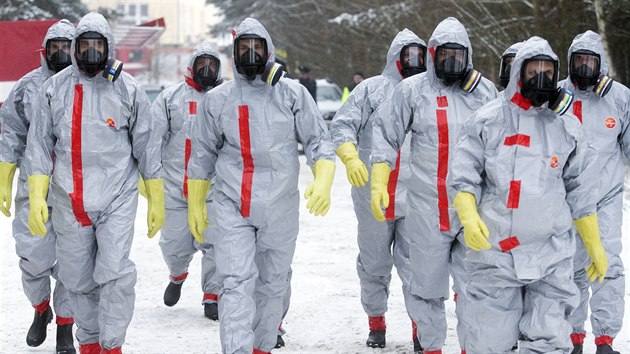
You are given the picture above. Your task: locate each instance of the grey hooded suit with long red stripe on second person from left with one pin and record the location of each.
(101, 134)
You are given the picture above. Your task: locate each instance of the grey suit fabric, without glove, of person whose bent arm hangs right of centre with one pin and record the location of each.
(353, 123)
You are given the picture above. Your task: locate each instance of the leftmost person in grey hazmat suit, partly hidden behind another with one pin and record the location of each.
(37, 255)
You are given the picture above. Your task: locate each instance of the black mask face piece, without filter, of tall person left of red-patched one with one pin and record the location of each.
(451, 62)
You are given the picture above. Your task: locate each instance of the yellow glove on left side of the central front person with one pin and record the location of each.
(197, 211)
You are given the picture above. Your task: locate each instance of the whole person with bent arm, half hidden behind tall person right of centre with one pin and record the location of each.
(351, 128)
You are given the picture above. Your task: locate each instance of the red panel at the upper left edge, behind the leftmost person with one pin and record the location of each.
(19, 47)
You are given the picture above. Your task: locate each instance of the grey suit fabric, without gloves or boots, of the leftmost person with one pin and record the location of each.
(38, 256)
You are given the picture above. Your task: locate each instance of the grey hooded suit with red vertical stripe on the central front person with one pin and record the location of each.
(246, 136)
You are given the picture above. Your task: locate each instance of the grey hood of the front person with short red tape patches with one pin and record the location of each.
(530, 48)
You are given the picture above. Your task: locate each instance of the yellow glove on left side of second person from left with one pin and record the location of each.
(38, 214)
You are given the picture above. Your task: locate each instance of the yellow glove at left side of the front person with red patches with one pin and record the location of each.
(475, 230)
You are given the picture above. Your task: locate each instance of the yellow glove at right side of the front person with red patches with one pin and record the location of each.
(589, 231)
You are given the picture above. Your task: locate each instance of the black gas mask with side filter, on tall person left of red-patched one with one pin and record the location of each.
(451, 65)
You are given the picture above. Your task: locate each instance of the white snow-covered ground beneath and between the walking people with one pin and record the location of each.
(325, 315)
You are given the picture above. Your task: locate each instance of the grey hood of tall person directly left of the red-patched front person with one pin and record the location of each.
(450, 30)
